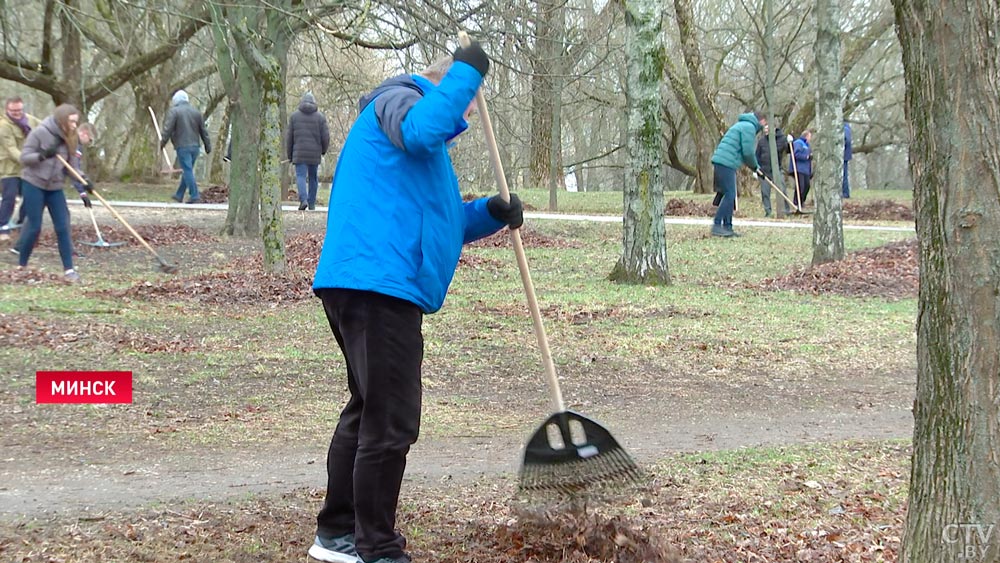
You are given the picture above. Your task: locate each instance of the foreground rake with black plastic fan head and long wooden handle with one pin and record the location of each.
(569, 452)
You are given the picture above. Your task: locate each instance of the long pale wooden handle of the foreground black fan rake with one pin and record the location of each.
(515, 238)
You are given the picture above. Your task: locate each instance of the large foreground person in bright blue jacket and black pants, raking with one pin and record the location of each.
(395, 229)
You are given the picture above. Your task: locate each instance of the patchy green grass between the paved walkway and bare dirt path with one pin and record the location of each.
(285, 358)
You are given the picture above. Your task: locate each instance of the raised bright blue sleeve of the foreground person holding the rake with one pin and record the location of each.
(439, 114)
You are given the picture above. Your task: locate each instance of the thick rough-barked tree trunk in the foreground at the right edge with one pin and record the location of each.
(951, 61)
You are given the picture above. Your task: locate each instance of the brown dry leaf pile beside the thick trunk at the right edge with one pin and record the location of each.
(890, 271)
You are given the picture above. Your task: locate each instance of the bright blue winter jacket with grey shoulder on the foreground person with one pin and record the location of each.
(397, 222)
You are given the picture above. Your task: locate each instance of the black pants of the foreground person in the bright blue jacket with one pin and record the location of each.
(382, 343)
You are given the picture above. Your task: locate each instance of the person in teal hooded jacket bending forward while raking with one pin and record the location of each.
(737, 147)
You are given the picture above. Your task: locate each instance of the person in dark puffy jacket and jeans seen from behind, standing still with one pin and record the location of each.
(307, 140)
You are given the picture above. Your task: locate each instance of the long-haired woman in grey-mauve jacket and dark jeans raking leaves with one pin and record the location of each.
(42, 180)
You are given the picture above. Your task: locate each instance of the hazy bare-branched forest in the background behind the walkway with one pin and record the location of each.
(559, 72)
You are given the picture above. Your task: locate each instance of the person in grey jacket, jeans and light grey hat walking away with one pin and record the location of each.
(185, 127)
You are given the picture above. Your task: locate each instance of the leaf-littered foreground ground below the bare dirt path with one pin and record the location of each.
(840, 503)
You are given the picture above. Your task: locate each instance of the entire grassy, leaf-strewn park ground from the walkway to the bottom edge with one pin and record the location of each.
(222, 371)
